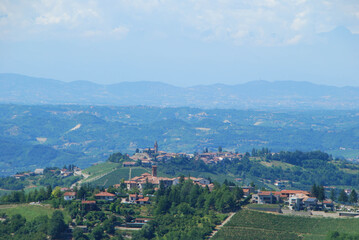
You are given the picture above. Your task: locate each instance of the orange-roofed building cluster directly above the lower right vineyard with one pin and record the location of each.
(296, 199)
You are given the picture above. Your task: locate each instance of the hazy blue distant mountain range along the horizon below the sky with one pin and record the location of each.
(22, 89)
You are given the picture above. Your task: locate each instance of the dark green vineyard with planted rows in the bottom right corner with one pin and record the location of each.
(249, 224)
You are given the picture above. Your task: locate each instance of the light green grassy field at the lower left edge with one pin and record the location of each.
(30, 211)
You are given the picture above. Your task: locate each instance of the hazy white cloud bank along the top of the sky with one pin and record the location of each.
(268, 22)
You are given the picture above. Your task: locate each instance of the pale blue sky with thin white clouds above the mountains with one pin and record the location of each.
(184, 43)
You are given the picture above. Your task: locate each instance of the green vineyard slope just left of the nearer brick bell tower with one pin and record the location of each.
(116, 176)
